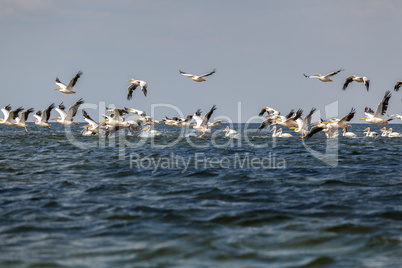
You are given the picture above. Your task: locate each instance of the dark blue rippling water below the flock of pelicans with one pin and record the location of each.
(72, 201)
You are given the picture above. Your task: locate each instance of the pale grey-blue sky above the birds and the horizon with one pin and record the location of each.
(260, 50)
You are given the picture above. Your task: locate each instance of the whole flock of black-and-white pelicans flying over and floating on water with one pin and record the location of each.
(114, 119)
